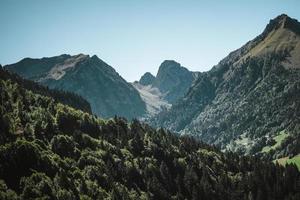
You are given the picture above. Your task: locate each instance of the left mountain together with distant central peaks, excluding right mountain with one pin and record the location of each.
(108, 93)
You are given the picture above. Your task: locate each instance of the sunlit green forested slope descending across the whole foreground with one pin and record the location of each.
(52, 151)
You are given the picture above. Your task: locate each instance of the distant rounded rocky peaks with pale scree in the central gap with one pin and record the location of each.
(170, 84)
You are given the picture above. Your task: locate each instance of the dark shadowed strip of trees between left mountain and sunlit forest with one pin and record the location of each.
(64, 97)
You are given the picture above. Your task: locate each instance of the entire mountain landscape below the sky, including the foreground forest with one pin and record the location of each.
(228, 133)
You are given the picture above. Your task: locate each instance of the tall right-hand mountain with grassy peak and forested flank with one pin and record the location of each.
(250, 101)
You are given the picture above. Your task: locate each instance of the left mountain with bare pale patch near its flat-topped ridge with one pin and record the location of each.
(108, 93)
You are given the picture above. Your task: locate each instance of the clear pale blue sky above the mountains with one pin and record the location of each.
(135, 36)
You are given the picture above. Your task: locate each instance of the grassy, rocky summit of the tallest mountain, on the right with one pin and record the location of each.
(281, 37)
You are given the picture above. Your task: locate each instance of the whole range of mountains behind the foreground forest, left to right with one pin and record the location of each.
(243, 104)
